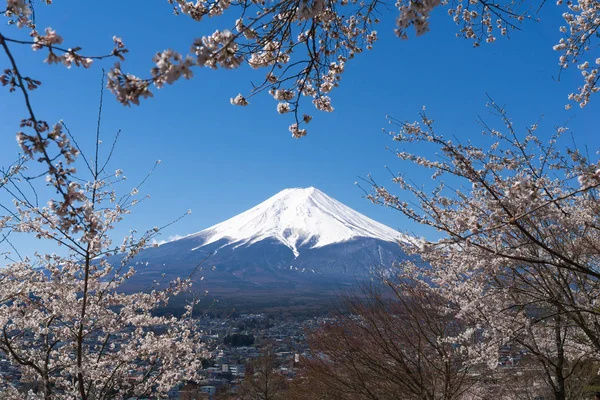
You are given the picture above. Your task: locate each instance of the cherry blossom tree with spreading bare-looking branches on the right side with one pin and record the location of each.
(520, 240)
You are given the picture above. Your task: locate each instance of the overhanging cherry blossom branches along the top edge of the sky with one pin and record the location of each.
(303, 45)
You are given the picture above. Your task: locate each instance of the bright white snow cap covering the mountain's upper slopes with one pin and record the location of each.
(297, 218)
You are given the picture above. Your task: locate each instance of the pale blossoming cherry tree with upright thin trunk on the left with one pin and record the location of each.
(66, 325)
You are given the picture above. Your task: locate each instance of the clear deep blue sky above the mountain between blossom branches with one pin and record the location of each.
(220, 160)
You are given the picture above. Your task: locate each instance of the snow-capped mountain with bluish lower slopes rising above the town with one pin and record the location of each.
(299, 238)
